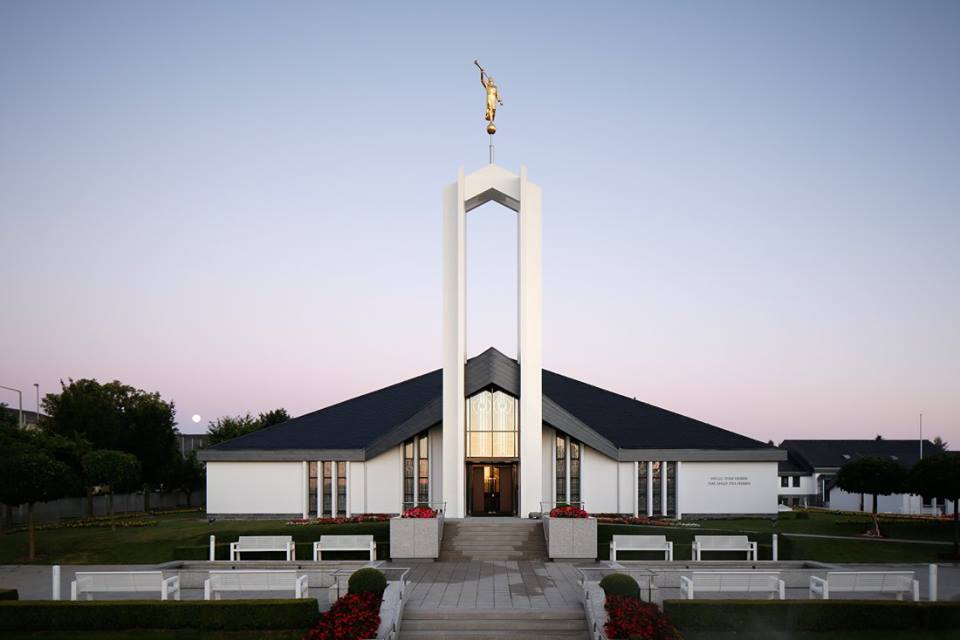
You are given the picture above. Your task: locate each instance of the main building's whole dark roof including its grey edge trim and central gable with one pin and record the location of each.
(365, 426)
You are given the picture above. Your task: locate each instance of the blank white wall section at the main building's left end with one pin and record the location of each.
(255, 487)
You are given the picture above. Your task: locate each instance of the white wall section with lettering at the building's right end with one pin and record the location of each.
(728, 487)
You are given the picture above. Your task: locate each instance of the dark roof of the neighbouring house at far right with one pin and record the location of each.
(835, 453)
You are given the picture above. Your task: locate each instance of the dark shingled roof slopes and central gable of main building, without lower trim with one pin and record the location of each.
(356, 423)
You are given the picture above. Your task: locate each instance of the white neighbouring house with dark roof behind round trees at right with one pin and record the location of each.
(807, 478)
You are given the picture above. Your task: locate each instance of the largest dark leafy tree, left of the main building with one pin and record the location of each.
(118, 417)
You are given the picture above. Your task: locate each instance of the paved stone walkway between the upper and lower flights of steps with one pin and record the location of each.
(494, 584)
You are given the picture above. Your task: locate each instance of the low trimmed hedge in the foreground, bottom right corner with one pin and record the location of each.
(810, 615)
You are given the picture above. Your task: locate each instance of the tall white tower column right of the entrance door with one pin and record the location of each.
(529, 335)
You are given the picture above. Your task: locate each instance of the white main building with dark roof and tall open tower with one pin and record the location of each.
(492, 435)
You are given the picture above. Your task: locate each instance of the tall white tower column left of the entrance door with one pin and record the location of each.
(454, 346)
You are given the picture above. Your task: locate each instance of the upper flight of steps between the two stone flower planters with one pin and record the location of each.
(493, 539)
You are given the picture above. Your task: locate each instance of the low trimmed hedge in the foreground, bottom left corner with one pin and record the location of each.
(232, 615)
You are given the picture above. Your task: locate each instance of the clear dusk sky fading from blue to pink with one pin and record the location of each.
(751, 209)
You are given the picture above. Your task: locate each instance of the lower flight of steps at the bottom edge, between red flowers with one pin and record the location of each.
(473, 624)
